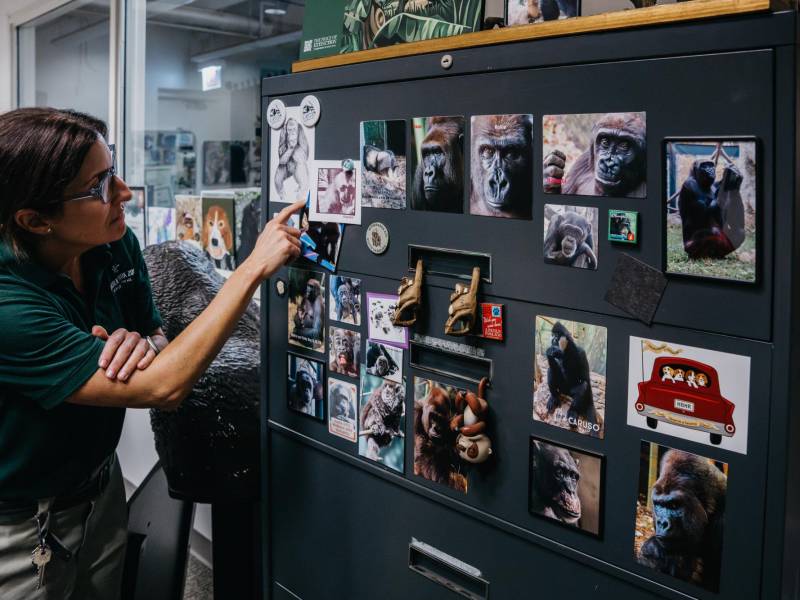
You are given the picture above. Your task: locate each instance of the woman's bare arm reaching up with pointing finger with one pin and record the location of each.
(173, 373)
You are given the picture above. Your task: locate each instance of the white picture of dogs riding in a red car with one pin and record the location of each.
(690, 393)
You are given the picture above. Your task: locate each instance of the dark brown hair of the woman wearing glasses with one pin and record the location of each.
(41, 152)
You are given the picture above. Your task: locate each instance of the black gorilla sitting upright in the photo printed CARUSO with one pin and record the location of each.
(569, 375)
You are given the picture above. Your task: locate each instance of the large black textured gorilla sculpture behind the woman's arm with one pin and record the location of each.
(209, 446)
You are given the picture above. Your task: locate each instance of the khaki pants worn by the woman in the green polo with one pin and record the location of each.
(95, 532)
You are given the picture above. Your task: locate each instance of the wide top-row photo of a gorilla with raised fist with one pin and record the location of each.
(595, 154)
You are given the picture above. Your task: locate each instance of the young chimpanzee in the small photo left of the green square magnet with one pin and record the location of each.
(568, 241)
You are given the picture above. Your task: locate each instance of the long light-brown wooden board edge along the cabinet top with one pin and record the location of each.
(639, 17)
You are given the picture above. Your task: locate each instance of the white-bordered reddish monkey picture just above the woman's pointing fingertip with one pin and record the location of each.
(335, 192)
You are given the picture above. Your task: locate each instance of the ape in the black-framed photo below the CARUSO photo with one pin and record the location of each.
(554, 484)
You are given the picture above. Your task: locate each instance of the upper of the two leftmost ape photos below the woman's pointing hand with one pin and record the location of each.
(306, 309)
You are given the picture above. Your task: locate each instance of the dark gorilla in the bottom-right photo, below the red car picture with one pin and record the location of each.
(688, 515)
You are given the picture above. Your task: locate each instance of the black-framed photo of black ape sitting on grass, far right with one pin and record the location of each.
(712, 208)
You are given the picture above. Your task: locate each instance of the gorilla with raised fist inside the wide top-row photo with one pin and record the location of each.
(614, 164)
